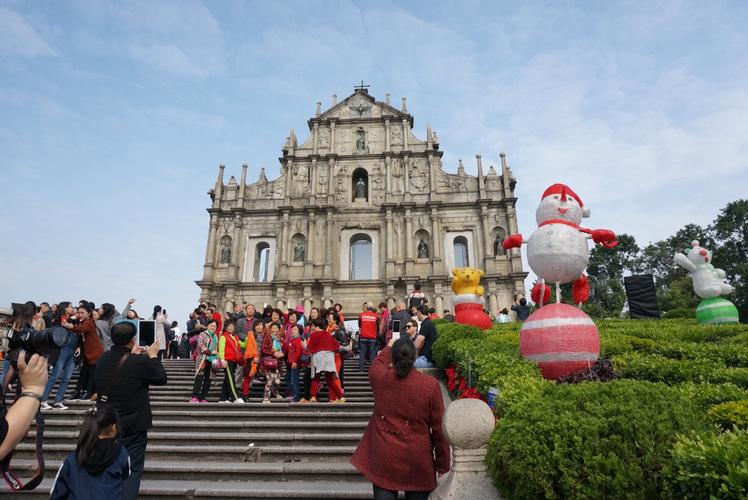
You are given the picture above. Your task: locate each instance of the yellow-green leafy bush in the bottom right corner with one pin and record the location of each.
(709, 466)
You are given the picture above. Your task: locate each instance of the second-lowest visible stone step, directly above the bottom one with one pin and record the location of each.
(213, 471)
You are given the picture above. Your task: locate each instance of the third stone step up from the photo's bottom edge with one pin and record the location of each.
(210, 453)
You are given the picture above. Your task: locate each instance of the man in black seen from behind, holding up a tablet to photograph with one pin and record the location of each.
(124, 384)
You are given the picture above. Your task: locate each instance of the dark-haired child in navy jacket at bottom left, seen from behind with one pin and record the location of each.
(99, 465)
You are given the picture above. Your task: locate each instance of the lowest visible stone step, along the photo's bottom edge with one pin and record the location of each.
(229, 490)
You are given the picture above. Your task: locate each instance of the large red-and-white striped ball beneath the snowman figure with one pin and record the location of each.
(561, 339)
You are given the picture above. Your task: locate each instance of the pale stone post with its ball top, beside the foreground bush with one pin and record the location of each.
(468, 424)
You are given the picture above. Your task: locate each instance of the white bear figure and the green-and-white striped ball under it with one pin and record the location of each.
(709, 284)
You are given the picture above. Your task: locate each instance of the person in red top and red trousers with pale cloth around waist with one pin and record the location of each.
(323, 346)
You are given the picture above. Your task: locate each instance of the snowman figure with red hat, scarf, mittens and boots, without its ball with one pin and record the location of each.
(557, 250)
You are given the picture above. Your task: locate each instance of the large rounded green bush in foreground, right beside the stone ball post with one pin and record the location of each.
(591, 440)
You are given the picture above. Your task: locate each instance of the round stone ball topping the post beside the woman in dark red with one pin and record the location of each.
(469, 423)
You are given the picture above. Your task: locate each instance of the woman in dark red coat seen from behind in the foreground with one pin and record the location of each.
(404, 445)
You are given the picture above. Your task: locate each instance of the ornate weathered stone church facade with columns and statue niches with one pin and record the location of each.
(362, 211)
